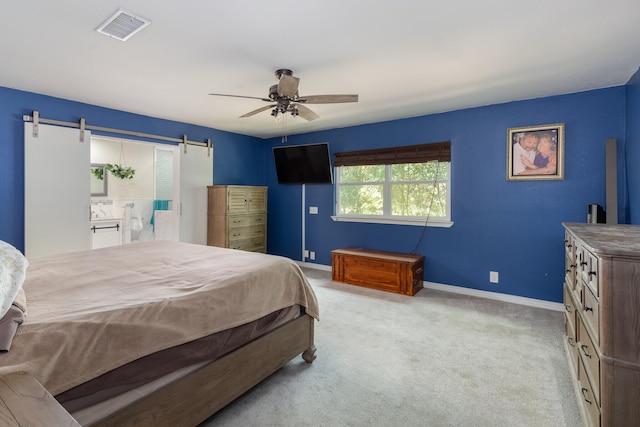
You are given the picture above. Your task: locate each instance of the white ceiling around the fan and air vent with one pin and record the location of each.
(404, 58)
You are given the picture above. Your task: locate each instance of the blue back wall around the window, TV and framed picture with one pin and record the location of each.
(514, 228)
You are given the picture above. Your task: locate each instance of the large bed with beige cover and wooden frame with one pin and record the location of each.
(155, 333)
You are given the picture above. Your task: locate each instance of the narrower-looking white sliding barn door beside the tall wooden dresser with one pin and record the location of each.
(196, 172)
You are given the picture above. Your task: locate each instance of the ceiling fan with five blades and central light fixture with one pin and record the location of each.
(284, 98)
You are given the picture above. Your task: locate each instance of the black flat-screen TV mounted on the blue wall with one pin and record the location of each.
(303, 164)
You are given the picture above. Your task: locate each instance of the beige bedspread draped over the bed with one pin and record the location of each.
(90, 312)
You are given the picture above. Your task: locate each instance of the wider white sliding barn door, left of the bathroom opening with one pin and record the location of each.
(57, 190)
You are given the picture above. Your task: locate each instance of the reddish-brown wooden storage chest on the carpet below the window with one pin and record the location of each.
(386, 271)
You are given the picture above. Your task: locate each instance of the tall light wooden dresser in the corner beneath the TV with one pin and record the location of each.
(237, 217)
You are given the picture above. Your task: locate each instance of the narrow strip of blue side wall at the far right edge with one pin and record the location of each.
(632, 124)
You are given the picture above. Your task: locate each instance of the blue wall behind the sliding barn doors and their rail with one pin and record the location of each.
(237, 159)
